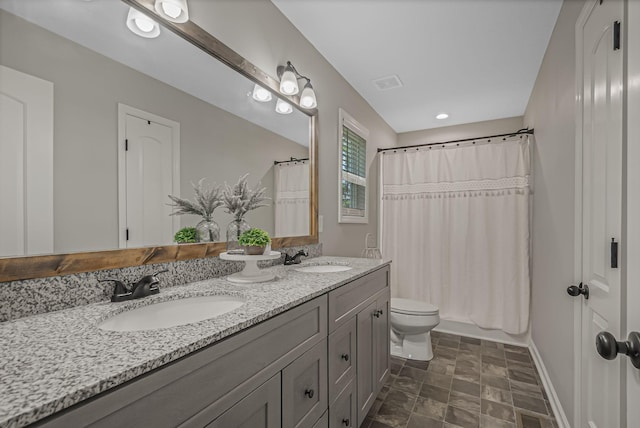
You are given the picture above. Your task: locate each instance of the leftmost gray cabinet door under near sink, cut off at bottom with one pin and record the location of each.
(260, 409)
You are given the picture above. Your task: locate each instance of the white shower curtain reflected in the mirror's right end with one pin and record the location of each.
(291, 198)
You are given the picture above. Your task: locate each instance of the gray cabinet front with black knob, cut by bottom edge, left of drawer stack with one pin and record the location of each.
(304, 388)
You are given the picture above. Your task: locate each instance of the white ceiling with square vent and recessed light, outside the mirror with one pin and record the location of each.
(473, 59)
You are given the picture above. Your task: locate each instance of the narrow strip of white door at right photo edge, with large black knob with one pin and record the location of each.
(632, 277)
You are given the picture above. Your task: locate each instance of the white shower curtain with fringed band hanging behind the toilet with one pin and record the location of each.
(455, 222)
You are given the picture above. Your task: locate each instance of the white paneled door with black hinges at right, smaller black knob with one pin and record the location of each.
(601, 86)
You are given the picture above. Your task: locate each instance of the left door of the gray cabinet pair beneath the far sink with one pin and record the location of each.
(366, 350)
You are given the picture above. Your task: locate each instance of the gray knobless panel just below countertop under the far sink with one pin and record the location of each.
(348, 300)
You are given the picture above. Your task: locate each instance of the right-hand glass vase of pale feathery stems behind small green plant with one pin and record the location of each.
(238, 201)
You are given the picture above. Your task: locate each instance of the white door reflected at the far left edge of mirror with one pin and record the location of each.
(26, 164)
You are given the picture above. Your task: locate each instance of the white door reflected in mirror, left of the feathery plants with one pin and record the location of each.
(149, 167)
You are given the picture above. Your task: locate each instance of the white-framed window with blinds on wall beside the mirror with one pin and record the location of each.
(353, 198)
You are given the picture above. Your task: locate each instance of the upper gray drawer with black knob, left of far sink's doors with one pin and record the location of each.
(342, 358)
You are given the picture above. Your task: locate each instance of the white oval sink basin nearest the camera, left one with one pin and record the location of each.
(172, 313)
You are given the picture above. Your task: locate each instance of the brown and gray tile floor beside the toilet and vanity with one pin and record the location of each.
(470, 383)
